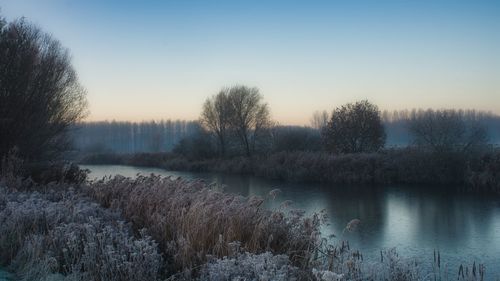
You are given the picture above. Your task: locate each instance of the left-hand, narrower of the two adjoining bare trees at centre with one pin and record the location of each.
(215, 117)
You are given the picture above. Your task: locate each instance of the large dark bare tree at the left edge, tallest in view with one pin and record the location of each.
(40, 97)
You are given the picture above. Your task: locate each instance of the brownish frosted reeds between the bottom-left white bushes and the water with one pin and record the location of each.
(191, 222)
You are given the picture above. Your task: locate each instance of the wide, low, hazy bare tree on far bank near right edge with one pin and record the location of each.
(446, 130)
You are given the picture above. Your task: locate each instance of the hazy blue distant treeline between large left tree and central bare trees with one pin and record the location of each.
(131, 137)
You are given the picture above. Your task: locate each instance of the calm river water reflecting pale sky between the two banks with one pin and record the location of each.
(415, 220)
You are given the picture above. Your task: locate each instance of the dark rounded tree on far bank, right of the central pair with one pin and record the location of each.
(354, 127)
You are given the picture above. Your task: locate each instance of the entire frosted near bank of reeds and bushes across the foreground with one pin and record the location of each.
(156, 228)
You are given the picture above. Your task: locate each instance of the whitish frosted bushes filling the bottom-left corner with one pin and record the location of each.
(59, 234)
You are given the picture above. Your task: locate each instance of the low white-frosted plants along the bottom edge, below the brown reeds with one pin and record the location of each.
(338, 263)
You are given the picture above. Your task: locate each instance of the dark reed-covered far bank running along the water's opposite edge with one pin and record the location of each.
(474, 173)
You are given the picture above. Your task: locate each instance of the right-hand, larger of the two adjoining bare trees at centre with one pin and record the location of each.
(249, 115)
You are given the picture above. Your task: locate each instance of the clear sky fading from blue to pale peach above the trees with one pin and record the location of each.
(143, 60)
